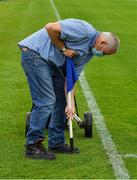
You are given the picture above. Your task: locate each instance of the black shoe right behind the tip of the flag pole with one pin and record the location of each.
(64, 148)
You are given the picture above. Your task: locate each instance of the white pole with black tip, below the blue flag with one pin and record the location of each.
(70, 122)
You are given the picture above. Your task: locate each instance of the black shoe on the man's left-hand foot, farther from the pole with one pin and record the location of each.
(38, 151)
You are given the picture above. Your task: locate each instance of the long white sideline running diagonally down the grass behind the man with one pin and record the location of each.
(115, 159)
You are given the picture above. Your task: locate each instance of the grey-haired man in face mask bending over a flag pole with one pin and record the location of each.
(43, 61)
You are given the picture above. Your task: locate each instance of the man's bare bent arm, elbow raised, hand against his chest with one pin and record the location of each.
(54, 30)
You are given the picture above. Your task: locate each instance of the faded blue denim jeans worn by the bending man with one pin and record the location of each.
(46, 85)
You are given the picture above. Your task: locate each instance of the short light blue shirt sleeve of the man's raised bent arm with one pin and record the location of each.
(73, 30)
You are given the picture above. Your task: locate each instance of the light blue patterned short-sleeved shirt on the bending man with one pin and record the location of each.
(77, 35)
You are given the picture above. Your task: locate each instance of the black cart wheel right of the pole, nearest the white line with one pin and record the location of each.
(88, 124)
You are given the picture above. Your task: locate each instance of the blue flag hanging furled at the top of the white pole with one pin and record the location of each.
(71, 74)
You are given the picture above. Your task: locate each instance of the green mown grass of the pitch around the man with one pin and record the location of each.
(113, 81)
